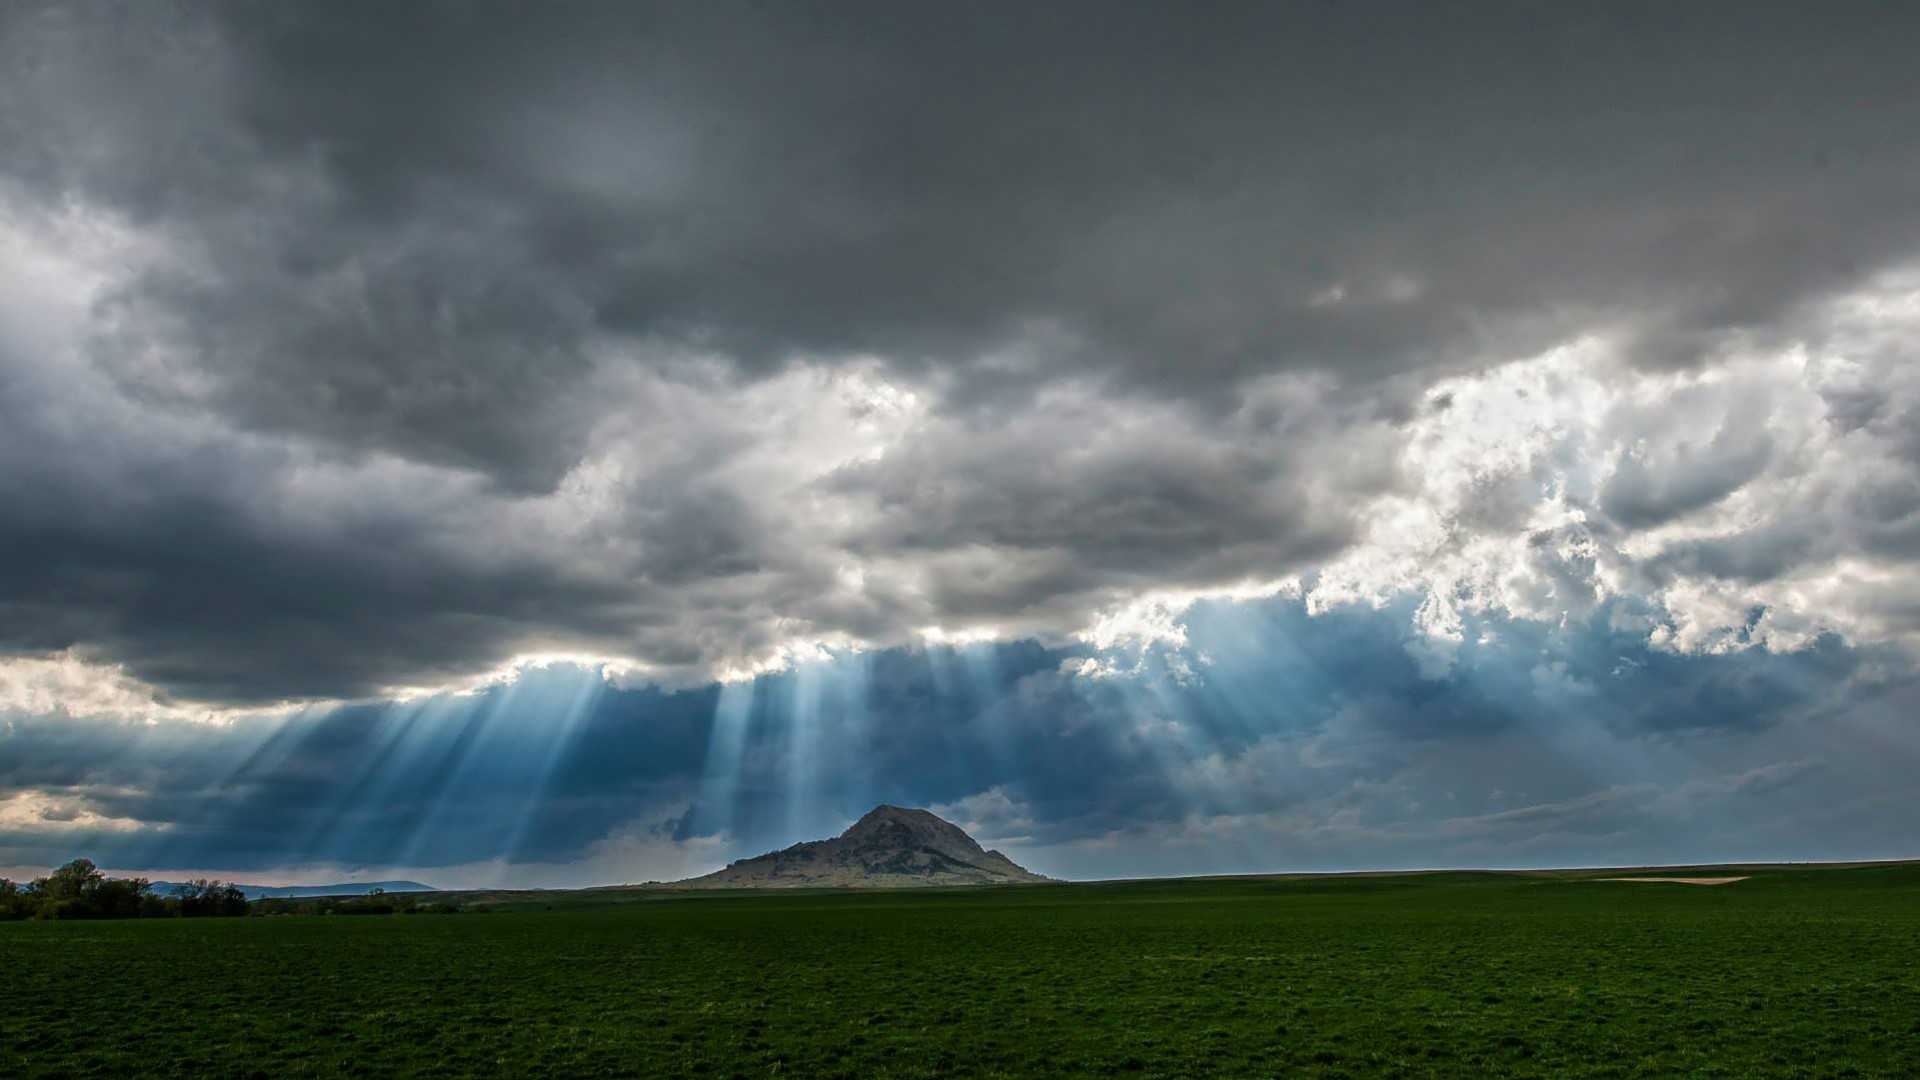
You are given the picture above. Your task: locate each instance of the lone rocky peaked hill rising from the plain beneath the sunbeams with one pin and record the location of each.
(888, 848)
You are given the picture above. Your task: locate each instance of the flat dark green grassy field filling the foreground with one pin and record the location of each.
(1796, 971)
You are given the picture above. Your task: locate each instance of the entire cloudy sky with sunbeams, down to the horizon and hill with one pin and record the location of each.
(592, 443)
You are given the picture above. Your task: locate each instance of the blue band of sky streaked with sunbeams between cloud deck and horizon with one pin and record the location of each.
(1545, 745)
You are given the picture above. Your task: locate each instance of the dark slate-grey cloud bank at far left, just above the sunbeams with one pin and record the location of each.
(212, 612)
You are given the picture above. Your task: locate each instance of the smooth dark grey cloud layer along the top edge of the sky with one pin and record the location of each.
(1174, 191)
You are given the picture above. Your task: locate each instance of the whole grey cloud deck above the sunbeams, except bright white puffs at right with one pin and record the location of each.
(396, 276)
